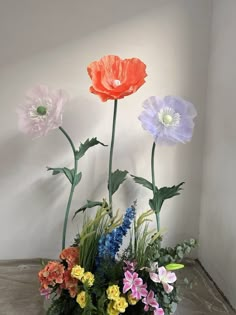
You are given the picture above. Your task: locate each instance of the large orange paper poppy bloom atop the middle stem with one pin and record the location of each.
(114, 78)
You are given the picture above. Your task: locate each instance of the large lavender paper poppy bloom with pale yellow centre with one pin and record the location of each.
(168, 119)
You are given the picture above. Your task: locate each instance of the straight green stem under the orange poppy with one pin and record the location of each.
(111, 155)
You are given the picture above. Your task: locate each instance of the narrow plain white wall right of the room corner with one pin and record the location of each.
(217, 222)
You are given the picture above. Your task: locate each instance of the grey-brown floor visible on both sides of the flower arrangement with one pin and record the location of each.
(19, 291)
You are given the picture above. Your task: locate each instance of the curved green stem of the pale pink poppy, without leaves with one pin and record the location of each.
(72, 187)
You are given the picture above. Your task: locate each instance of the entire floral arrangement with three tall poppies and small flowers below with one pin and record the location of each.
(100, 273)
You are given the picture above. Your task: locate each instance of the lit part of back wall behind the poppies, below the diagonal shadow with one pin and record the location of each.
(172, 39)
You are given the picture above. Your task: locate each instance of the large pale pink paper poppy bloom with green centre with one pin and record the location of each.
(42, 110)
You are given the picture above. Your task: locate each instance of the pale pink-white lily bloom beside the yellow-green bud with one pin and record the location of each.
(165, 277)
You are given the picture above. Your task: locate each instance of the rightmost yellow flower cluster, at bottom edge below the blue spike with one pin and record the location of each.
(117, 303)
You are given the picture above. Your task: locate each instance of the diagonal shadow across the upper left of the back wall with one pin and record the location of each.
(79, 18)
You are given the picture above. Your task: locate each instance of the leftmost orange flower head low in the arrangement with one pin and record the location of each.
(51, 274)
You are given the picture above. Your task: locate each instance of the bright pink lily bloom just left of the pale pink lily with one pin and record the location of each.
(135, 284)
